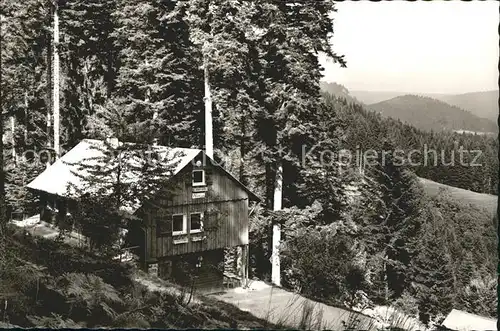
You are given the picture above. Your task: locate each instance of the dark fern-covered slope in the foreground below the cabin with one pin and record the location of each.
(50, 284)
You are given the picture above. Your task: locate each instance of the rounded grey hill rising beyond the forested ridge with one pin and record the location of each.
(431, 114)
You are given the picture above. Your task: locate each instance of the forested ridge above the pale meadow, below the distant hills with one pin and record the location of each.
(478, 170)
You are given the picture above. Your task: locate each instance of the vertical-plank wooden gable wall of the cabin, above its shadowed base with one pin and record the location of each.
(223, 202)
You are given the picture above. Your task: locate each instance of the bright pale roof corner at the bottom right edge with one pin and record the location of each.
(464, 321)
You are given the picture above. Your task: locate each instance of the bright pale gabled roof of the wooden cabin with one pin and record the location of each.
(63, 176)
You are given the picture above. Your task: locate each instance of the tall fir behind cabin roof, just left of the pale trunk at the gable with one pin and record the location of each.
(159, 83)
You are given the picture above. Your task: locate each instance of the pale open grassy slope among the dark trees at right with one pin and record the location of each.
(481, 200)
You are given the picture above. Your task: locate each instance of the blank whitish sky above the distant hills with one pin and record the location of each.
(426, 47)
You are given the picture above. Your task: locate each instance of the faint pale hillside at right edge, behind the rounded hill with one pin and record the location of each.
(482, 104)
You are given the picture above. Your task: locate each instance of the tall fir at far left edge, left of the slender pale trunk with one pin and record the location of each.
(25, 93)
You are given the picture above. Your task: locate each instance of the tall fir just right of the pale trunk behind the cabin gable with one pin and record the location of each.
(227, 38)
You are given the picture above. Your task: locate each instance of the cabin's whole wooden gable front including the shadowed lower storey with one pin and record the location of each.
(223, 203)
